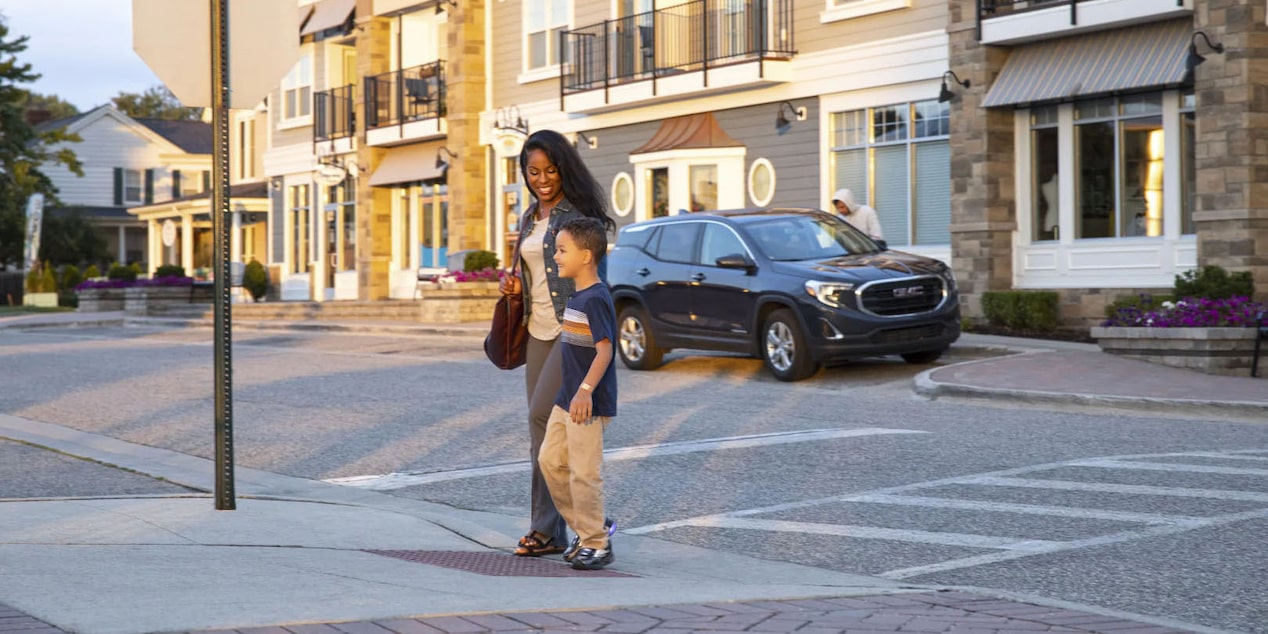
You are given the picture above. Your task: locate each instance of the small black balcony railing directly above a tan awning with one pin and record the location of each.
(406, 96)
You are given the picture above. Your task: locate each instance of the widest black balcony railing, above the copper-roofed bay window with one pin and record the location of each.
(690, 37)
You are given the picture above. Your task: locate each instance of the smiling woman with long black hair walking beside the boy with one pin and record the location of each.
(562, 190)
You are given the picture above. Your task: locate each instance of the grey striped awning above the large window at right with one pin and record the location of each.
(1097, 64)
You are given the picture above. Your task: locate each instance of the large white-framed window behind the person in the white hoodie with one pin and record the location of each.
(898, 160)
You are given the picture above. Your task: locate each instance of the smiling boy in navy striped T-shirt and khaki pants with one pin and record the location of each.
(573, 455)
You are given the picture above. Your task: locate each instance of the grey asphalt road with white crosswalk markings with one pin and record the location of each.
(846, 471)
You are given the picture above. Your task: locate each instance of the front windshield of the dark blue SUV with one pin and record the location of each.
(808, 238)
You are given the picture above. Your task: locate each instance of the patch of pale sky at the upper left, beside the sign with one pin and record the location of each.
(83, 49)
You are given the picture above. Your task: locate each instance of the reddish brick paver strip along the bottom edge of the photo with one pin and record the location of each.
(958, 613)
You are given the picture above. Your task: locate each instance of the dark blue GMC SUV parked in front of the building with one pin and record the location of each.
(797, 287)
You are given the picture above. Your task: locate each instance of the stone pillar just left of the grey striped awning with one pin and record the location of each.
(982, 168)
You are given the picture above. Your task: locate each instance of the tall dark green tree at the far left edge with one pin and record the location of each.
(23, 150)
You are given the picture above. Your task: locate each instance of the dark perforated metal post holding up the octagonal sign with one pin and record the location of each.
(225, 498)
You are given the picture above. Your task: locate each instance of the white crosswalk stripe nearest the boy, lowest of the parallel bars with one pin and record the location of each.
(921, 537)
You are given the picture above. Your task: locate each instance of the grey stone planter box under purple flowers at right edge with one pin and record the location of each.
(1209, 351)
